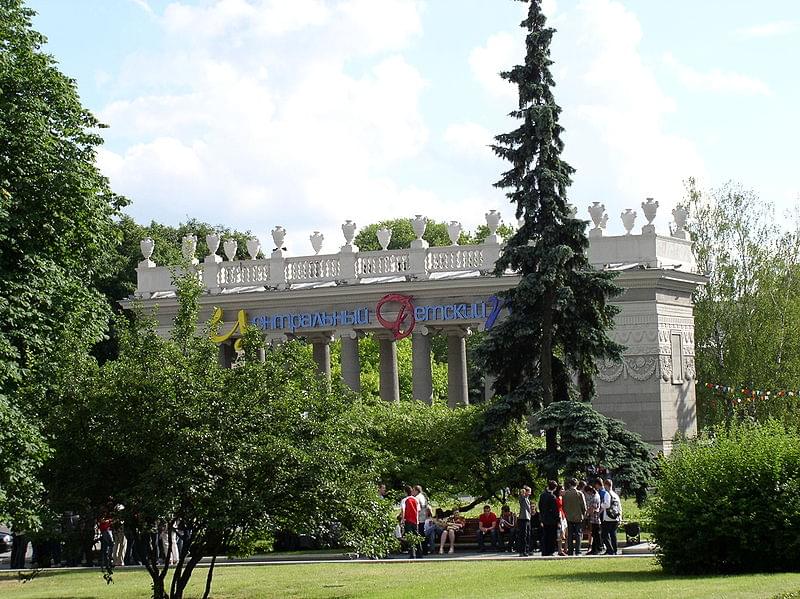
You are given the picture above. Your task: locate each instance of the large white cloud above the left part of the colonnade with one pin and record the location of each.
(239, 123)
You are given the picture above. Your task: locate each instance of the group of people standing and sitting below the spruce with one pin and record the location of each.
(554, 525)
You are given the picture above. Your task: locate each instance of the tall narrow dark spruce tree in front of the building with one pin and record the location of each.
(558, 313)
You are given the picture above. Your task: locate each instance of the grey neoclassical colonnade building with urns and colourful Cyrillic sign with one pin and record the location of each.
(422, 291)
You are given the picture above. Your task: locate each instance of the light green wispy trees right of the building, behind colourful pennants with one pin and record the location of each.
(753, 265)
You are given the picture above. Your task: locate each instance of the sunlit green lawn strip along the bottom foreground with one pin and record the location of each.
(612, 577)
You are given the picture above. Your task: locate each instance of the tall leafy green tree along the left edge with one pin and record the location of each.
(56, 235)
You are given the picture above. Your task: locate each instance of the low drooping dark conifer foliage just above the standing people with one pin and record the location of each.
(587, 438)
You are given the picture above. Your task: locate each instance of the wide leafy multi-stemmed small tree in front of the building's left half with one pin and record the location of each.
(234, 454)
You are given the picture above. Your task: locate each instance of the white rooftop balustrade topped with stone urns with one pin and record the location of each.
(349, 266)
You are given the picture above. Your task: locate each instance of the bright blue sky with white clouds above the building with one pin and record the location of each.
(305, 113)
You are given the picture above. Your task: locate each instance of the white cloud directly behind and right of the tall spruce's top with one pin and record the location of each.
(614, 110)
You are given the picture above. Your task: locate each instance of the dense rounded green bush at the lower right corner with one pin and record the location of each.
(729, 502)
